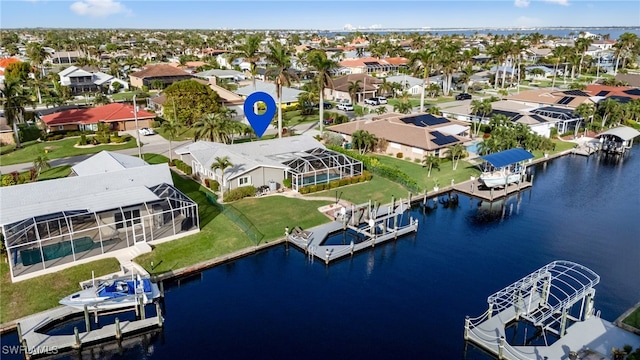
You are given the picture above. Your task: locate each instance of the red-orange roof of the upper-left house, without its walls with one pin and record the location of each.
(107, 113)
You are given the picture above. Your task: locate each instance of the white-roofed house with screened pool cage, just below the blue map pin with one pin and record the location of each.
(302, 159)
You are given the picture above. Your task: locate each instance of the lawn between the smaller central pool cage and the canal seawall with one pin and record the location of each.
(377, 189)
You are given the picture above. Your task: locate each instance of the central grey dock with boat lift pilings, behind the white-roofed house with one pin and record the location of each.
(366, 226)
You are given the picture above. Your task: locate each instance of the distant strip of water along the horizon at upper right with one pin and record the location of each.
(614, 33)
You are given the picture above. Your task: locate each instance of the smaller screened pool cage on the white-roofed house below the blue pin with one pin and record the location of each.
(320, 166)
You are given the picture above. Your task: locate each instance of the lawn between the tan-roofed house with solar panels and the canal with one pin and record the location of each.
(443, 176)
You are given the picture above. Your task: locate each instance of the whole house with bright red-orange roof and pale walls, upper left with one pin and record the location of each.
(119, 116)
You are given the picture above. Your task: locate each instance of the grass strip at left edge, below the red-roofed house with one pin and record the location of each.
(58, 149)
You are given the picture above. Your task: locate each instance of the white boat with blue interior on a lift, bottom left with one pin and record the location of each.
(114, 294)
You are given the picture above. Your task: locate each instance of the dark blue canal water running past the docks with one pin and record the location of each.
(409, 298)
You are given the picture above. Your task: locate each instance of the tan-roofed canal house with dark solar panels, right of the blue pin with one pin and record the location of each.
(412, 136)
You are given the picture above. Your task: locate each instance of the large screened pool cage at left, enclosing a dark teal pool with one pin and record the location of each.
(63, 237)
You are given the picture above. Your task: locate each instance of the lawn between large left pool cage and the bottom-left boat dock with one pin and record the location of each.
(43, 292)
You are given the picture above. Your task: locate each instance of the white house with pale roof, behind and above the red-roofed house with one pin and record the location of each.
(82, 80)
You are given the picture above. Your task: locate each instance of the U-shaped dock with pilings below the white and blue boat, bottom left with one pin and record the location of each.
(36, 343)
